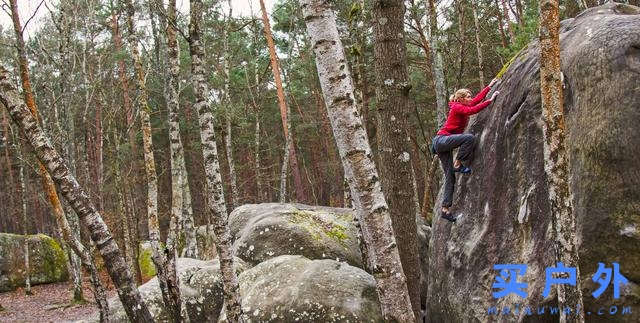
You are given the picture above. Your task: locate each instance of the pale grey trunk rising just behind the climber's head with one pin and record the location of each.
(437, 67)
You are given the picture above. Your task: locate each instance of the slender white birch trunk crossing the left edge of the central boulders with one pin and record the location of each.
(215, 193)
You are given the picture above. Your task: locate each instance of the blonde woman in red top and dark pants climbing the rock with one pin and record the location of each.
(451, 136)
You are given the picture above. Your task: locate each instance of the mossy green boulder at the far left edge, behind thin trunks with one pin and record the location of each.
(47, 261)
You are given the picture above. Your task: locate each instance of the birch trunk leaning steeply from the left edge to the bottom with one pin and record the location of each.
(136, 309)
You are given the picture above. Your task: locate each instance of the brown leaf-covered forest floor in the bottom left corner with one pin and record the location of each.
(50, 303)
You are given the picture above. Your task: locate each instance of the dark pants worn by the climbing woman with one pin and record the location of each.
(444, 146)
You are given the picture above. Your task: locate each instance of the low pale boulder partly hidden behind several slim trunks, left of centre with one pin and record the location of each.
(200, 288)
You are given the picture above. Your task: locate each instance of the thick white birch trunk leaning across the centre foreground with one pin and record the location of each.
(358, 164)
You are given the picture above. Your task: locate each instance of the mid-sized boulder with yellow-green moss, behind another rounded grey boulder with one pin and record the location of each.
(265, 231)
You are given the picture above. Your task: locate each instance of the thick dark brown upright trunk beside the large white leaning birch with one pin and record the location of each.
(392, 96)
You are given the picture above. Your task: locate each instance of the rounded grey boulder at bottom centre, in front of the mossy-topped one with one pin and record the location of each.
(296, 289)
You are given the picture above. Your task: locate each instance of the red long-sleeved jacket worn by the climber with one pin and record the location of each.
(459, 113)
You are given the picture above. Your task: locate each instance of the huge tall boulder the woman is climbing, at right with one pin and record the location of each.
(504, 202)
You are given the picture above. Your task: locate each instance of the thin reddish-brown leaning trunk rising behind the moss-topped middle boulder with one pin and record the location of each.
(301, 195)
